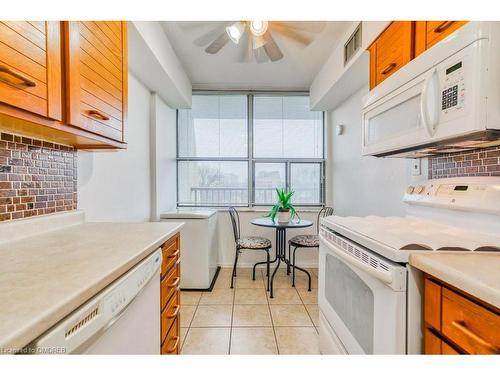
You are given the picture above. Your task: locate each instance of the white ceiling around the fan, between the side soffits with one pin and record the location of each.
(295, 71)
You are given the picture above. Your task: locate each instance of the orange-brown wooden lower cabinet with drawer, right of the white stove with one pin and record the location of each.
(456, 323)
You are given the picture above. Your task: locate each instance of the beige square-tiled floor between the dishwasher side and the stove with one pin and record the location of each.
(244, 320)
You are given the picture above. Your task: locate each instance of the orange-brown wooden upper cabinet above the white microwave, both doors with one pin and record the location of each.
(402, 41)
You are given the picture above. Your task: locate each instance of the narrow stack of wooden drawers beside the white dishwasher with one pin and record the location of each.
(170, 298)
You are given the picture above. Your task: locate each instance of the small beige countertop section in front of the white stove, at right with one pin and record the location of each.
(475, 273)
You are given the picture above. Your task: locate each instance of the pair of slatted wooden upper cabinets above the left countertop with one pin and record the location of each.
(65, 81)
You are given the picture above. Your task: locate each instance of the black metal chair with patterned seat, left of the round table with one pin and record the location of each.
(247, 243)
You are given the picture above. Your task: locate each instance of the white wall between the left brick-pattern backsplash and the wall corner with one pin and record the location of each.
(115, 185)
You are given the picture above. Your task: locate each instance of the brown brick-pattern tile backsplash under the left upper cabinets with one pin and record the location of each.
(36, 177)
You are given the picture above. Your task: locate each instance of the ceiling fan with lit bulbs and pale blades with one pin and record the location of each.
(256, 37)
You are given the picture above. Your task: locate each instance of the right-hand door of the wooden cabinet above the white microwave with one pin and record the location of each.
(428, 33)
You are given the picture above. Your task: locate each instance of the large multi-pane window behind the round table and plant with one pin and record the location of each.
(236, 149)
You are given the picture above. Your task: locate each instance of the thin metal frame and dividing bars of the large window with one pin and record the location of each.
(250, 159)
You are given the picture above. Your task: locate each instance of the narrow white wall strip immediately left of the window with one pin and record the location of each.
(163, 157)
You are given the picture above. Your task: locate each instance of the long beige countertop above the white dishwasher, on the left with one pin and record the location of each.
(46, 276)
